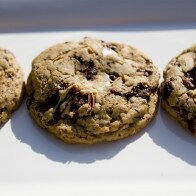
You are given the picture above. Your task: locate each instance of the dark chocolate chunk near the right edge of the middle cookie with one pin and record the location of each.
(138, 91)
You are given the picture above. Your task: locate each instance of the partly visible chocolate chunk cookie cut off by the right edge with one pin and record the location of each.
(179, 89)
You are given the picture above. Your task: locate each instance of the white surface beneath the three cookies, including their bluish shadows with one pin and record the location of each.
(161, 159)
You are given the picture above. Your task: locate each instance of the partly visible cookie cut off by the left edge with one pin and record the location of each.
(11, 85)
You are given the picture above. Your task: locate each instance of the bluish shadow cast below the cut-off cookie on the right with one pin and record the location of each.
(169, 135)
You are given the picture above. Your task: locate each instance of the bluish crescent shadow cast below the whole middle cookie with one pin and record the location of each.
(45, 143)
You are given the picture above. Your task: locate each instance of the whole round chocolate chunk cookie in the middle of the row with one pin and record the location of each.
(92, 91)
